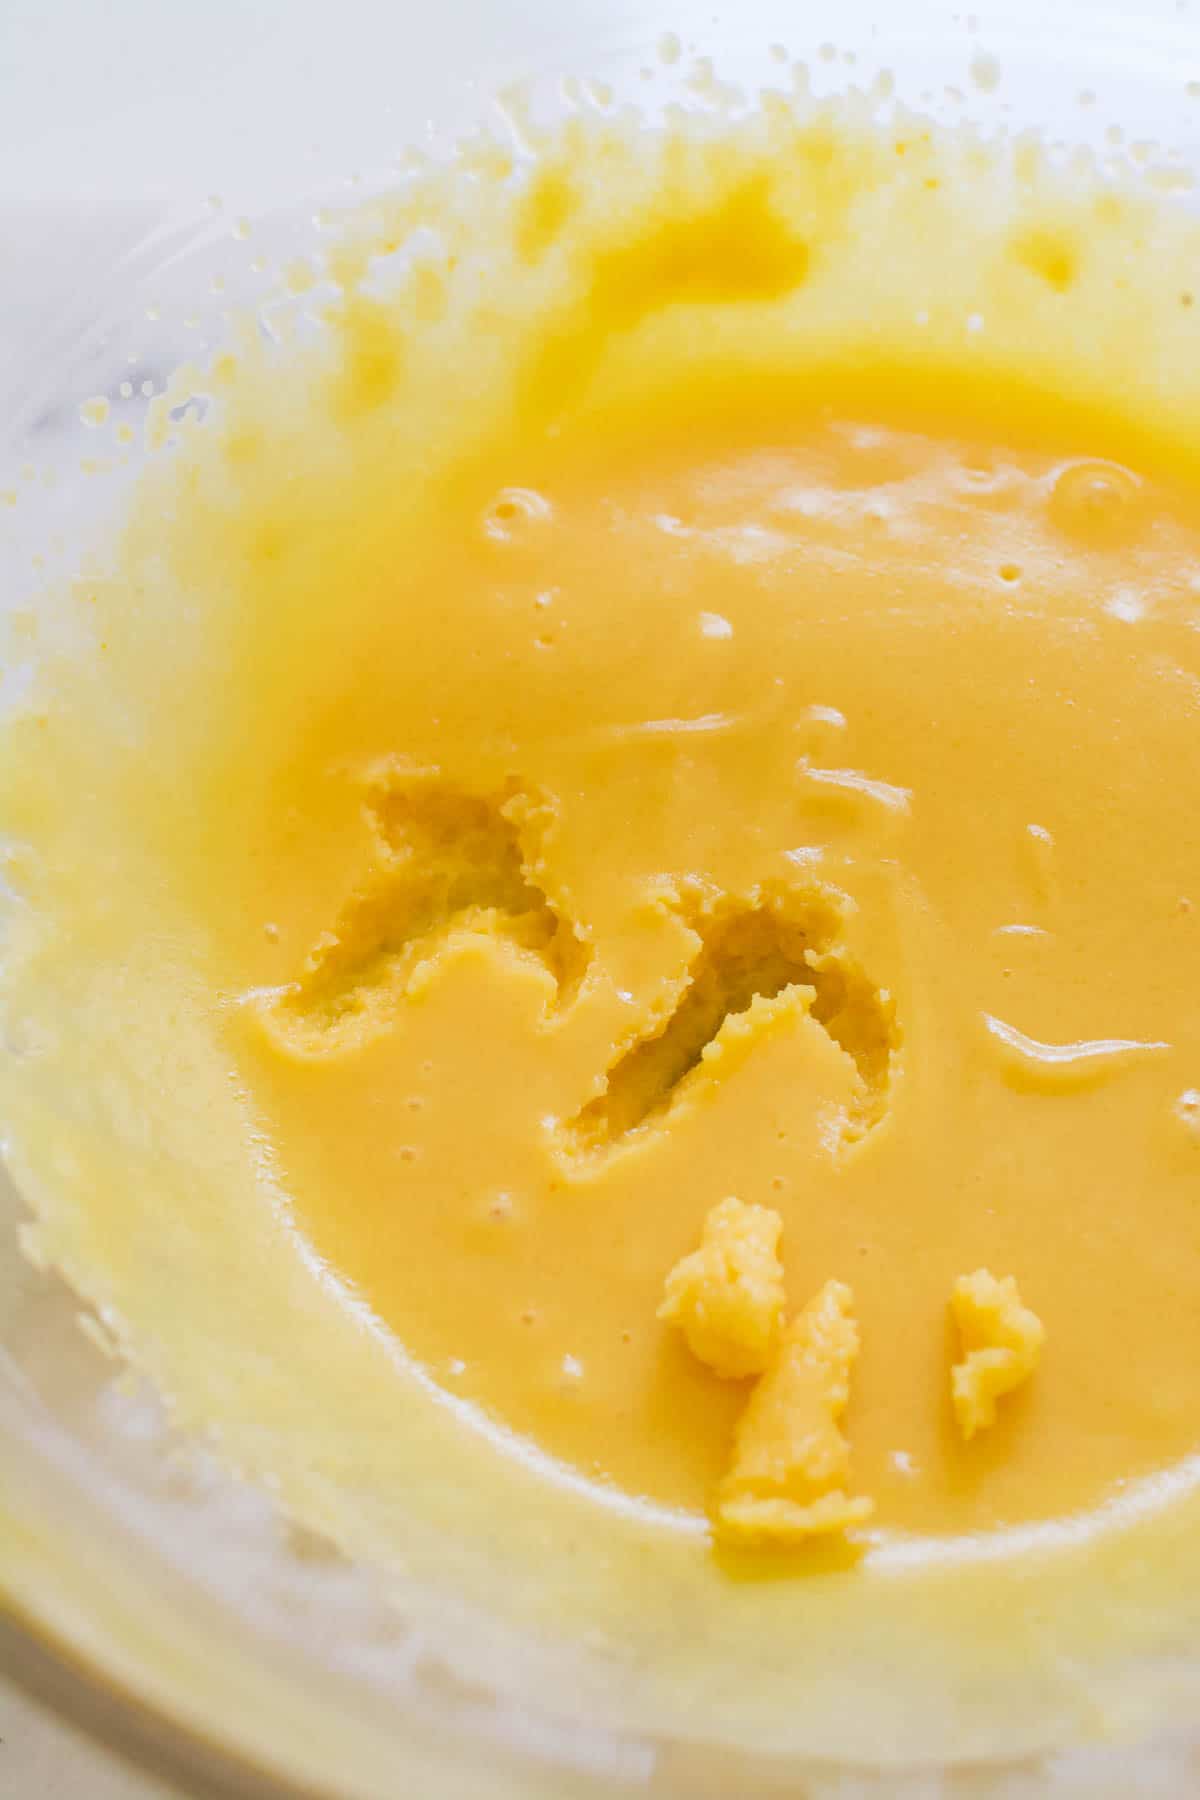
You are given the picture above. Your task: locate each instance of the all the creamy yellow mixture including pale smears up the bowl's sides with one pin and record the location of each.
(710, 708)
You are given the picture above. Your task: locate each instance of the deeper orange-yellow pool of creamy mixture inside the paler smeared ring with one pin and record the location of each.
(782, 654)
